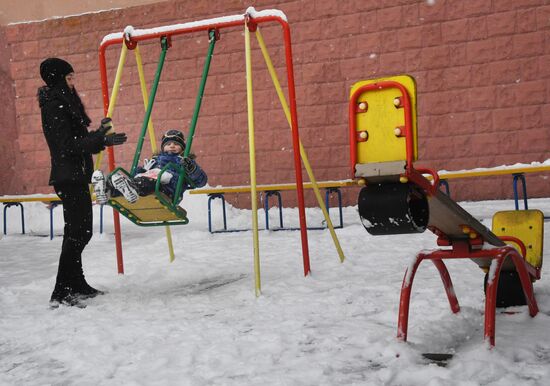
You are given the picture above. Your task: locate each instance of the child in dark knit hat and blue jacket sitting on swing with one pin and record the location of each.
(145, 180)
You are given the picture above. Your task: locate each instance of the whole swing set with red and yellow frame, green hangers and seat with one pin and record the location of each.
(158, 209)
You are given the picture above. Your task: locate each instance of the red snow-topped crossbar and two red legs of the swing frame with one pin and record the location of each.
(206, 25)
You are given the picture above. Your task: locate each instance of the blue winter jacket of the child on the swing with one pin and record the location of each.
(194, 172)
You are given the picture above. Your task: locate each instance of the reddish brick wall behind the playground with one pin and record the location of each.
(480, 65)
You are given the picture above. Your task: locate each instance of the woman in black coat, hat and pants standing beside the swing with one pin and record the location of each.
(65, 125)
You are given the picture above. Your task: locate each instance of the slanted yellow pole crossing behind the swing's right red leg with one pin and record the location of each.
(303, 153)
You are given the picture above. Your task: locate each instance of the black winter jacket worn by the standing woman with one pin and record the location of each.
(65, 125)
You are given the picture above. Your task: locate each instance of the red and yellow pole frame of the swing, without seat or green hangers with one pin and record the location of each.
(250, 20)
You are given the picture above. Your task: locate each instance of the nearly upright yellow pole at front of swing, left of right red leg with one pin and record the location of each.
(252, 150)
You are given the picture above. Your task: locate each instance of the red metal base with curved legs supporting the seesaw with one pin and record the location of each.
(462, 250)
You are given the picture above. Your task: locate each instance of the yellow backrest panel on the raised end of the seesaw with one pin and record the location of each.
(381, 119)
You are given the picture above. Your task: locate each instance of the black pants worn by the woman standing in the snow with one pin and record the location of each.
(77, 213)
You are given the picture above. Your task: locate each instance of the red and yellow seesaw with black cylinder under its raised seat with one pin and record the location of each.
(398, 198)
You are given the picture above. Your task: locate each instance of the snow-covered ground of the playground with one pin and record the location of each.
(196, 321)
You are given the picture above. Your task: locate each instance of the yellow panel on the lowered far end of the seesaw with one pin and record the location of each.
(526, 225)
